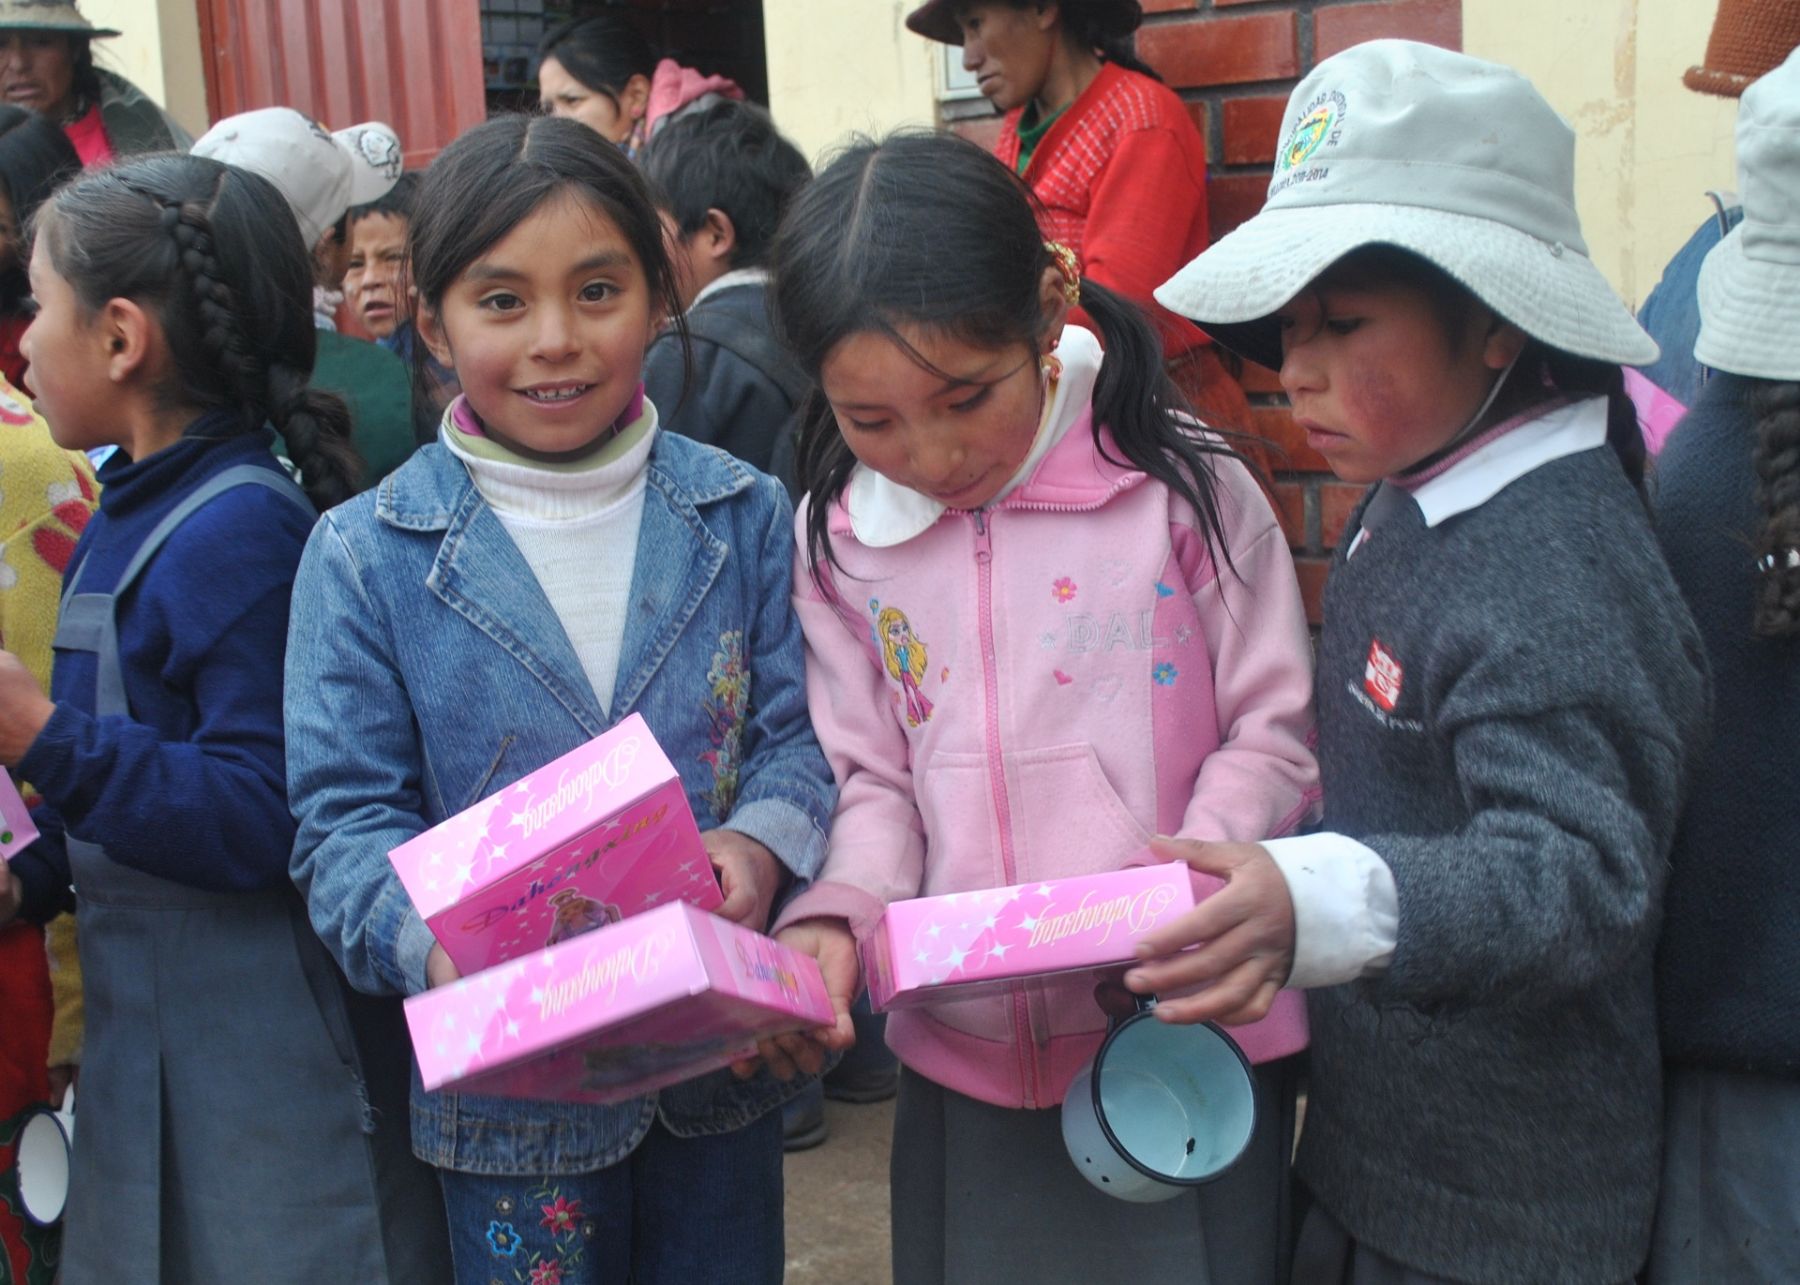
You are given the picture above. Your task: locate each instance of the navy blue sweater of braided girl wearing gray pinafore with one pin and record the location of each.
(193, 786)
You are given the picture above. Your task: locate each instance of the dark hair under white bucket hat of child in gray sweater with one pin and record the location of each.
(1540, 373)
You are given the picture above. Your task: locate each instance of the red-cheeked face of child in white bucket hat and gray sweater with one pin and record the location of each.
(1378, 377)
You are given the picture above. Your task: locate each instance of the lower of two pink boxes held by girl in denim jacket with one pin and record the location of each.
(660, 998)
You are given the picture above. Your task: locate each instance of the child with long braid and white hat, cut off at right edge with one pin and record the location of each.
(1729, 517)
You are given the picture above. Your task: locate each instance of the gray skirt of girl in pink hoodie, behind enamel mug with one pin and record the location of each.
(989, 1196)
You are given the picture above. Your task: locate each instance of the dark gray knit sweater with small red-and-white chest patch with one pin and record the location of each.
(1489, 1108)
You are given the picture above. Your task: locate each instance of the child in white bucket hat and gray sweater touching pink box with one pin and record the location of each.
(1509, 688)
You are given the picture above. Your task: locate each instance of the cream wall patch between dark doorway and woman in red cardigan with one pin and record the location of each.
(840, 67)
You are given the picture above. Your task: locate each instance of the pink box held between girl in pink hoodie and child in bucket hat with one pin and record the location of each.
(969, 944)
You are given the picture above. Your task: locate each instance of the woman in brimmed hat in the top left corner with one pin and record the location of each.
(48, 66)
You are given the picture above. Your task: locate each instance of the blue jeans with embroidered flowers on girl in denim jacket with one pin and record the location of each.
(676, 1210)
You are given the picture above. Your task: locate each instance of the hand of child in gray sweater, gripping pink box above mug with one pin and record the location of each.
(1245, 933)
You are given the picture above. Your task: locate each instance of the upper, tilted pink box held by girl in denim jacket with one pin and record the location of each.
(586, 841)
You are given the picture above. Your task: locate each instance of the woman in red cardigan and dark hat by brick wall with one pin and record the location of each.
(1110, 150)
